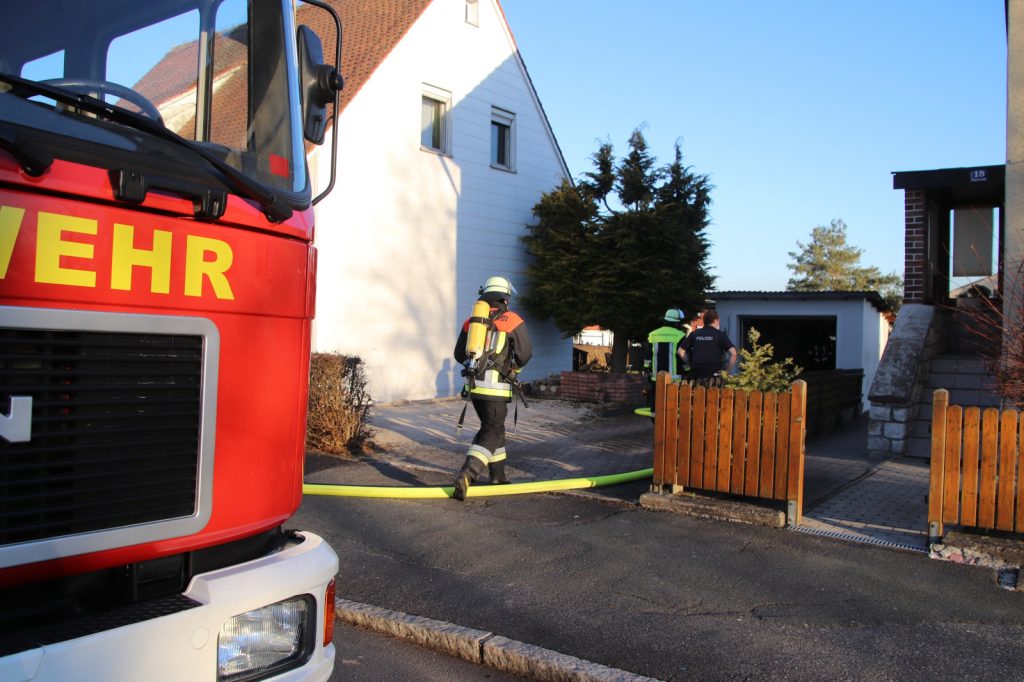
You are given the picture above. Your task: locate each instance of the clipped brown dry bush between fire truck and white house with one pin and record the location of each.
(339, 404)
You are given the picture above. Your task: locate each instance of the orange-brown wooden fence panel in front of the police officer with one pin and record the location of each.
(744, 443)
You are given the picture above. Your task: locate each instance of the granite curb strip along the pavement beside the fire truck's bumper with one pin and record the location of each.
(481, 648)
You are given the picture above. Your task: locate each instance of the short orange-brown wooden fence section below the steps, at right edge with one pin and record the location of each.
(976, 470)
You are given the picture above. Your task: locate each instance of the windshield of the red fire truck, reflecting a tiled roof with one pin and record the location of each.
(221, 74)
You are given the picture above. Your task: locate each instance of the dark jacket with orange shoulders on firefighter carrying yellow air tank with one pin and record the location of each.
(509, 350)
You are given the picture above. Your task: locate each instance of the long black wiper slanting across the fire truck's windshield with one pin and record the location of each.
(273, 205)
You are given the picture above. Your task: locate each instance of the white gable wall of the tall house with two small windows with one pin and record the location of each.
(407, 237)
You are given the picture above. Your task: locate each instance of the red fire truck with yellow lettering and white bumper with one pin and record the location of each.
(157, 276)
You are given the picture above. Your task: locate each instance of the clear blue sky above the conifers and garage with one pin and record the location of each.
(799, 111)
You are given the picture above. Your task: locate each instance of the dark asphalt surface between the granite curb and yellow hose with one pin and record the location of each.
(670, 596)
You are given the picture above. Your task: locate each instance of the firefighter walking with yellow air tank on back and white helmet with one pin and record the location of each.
(491, 385)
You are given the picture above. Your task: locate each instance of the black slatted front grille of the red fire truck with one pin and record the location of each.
(116, 422)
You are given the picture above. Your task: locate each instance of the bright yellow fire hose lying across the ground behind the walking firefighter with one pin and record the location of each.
(481, 491)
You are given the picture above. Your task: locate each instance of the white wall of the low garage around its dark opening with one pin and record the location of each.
(862, 332)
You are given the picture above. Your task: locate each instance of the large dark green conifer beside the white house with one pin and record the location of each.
(621, 247)
